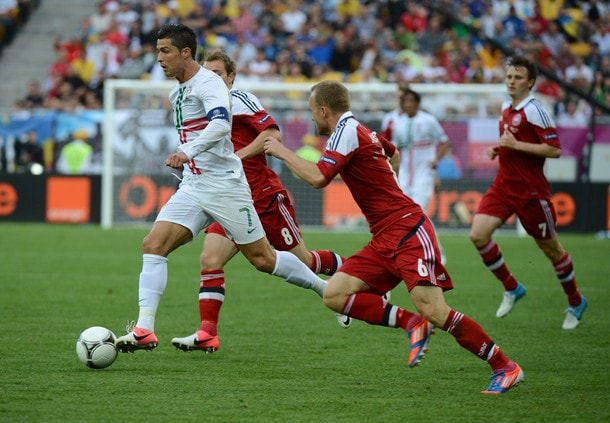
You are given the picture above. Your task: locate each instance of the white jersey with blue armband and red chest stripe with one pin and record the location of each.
(201, 109)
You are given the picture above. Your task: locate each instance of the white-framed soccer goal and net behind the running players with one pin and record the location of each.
(139, 133)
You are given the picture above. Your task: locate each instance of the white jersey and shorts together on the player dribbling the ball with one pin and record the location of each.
(214, 186)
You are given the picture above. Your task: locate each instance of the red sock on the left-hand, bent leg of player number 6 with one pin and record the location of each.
(374, 310)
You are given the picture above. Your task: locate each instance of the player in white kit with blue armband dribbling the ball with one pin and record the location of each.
(214, 186)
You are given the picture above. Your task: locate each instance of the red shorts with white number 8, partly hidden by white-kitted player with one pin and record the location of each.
(279, 222)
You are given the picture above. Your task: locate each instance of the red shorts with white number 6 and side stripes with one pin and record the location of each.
(407, 250)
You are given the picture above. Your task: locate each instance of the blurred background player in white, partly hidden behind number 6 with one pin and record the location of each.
(422, 142)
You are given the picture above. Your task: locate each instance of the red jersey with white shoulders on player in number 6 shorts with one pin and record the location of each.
(362, 159)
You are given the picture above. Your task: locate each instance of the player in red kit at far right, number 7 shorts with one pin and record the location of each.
(527, 138)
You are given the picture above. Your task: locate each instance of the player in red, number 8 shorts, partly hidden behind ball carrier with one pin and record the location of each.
(251, 125)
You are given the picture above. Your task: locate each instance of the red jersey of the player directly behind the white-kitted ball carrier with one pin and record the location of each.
(249, 120)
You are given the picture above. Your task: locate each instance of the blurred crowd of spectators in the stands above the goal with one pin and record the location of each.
(346, 40)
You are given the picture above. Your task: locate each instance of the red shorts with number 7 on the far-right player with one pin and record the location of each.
(537, 215)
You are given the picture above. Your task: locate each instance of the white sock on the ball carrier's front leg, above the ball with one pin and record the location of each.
(153, 280)
